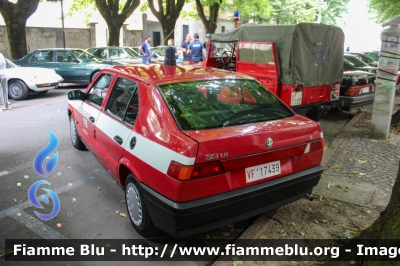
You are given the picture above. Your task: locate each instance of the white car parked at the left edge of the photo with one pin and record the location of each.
(22, 81)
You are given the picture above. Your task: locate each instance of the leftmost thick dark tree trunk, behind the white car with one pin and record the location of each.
(15, 15)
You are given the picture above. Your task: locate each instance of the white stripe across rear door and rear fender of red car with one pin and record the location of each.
(146, 150)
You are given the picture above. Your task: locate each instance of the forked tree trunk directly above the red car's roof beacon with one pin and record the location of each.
(167, 14)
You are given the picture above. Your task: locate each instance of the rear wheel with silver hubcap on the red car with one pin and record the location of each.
(137, 209)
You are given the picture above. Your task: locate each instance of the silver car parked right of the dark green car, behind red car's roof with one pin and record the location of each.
(116, 54)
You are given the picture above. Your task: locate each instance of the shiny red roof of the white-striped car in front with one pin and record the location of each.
(165, 74)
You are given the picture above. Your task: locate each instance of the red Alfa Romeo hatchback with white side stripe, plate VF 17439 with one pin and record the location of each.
(195, 148)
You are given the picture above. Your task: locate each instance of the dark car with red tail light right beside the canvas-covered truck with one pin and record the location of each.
(357, 89)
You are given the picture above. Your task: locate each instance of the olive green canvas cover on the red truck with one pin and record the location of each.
(310, 54)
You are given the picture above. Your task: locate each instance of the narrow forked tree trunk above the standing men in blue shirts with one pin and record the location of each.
(213, 7)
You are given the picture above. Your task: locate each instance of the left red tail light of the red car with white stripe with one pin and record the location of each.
(188, 172)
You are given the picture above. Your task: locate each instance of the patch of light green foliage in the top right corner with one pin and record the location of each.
(384, 9)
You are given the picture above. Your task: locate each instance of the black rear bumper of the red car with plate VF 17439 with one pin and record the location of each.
(196, 216)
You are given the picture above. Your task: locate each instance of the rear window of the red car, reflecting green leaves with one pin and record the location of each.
(219, 103)
